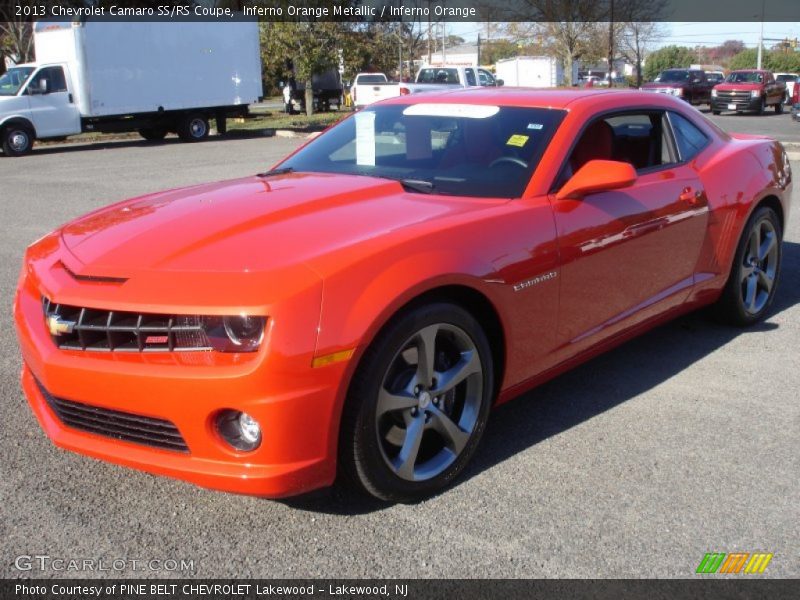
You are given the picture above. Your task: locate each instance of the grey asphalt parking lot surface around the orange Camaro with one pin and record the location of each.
(682, 442)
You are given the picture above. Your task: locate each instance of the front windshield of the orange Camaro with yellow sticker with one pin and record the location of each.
(457, 149)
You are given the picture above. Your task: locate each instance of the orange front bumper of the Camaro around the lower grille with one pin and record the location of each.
(296, 405)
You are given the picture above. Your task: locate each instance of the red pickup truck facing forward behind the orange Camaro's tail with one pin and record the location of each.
(748, 89)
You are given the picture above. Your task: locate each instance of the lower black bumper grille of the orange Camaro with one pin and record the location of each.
(116, 424)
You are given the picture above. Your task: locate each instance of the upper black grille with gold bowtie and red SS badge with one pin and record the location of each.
(77, 328)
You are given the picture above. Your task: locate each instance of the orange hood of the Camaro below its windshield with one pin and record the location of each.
(250, 224)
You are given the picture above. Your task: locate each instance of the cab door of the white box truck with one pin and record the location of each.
(53, 109)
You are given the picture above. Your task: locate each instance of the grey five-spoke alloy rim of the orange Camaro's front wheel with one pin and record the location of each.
(429, 402)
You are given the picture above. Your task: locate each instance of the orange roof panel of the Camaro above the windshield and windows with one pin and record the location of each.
(558, 98)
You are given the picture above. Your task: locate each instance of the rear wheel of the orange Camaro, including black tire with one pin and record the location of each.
(733, 306)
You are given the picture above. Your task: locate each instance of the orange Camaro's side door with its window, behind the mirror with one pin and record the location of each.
(628, 254)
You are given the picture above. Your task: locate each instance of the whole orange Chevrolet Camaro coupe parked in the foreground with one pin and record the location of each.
(360, 308)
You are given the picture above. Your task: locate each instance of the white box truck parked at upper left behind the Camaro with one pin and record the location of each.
(150, 77)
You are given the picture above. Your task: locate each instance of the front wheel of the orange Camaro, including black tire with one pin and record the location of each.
(370, 436)
